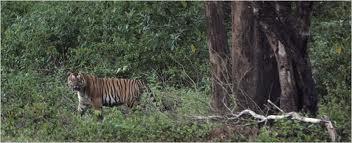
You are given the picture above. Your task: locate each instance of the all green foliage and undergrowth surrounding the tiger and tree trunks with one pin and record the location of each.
(163, 42)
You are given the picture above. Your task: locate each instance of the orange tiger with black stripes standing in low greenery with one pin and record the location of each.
(97, 92)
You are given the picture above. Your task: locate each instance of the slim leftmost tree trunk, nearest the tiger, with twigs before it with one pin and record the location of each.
(219, 55)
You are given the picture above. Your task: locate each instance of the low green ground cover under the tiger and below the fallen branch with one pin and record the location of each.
(38, 107)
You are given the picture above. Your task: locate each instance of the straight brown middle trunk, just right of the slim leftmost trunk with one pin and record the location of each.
(244, 56)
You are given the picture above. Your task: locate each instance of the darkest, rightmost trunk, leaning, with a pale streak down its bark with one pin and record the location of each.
(288, 27)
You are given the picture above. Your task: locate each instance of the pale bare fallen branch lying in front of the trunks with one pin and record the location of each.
(261, 118)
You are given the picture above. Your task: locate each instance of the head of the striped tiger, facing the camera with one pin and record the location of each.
(76, 81)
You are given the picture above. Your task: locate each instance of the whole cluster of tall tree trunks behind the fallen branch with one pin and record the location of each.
(269, 54)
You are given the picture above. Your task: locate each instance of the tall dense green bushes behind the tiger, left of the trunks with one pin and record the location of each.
(163, 37)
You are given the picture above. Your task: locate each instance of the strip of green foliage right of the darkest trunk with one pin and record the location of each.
(330, 55)
